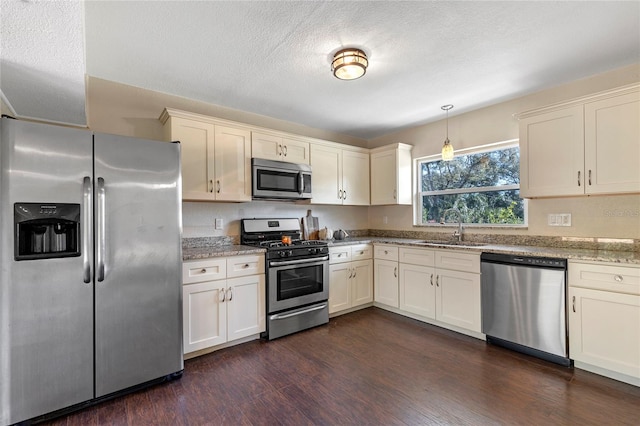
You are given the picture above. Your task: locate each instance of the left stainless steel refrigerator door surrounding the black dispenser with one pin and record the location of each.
(46, 308)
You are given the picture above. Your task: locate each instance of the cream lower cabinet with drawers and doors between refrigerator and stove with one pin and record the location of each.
(223, 300)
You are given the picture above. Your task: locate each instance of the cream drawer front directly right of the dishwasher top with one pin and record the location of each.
(619, 279)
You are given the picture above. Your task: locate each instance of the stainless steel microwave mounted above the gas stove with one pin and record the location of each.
(280, 180)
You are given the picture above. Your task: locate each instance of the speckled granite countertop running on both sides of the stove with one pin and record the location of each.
(611, 256)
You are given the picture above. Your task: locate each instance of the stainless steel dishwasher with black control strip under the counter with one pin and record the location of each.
(524, 304)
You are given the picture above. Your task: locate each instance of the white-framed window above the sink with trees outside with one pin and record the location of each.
(483, 184)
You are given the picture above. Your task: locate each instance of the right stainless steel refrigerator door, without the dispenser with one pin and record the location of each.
(138, 309)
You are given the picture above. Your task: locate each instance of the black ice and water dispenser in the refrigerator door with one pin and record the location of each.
(44, 231)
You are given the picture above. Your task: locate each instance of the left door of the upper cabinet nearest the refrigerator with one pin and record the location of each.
(197, 146)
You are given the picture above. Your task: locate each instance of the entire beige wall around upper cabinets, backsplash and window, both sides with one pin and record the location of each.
(131, 111)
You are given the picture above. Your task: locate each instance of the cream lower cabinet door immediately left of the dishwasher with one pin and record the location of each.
(458, 299)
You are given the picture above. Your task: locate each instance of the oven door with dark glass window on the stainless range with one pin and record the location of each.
(295, 283)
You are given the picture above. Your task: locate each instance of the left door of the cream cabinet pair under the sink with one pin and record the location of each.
(417, 290)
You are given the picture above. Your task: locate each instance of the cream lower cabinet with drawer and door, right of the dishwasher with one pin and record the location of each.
(604, 319)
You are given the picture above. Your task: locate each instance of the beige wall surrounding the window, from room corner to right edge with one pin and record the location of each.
(601, 216)
